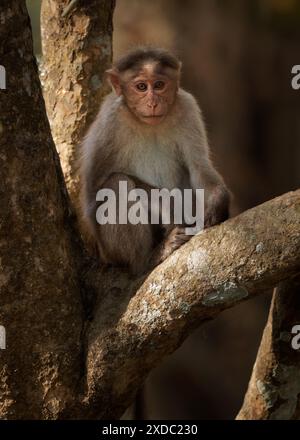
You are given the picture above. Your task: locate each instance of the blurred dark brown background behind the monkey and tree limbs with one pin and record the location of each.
(237, 59)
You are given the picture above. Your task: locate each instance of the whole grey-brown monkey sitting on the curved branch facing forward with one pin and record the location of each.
(150, 134)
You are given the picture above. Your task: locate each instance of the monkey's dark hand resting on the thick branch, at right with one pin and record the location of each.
(217, 207)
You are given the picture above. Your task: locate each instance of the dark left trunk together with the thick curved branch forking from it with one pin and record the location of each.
(58, 363)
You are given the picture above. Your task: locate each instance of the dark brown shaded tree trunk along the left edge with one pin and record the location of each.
(39, 287)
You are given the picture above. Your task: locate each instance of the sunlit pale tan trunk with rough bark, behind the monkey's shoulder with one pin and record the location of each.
(77, 50)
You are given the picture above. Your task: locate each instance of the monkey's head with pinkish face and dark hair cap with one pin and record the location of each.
(148, 80)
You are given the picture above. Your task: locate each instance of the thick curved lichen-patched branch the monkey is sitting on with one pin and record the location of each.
(132, 332)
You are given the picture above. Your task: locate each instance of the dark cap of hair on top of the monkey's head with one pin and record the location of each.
(140, 55)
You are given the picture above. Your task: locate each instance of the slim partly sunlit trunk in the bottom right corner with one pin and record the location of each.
(274, 388)
